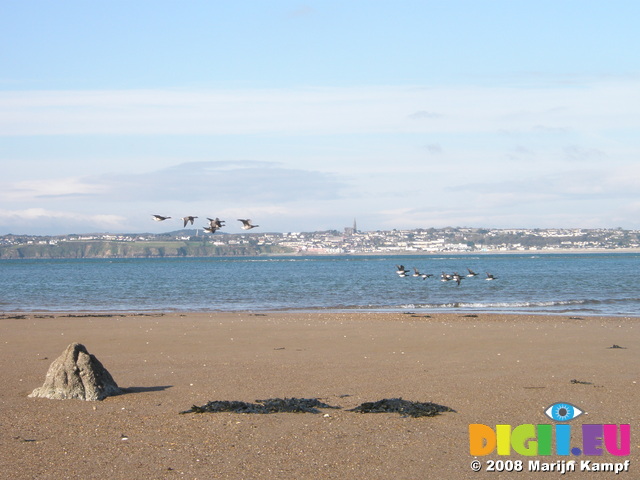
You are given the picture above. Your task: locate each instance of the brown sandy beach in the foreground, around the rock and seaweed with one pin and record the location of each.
(491, 369)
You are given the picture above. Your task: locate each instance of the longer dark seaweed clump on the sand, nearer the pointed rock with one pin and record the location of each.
(271, 405)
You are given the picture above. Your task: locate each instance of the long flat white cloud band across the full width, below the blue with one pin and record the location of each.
(321, 110)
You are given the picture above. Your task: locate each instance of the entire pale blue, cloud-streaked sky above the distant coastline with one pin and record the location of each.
(306, 115)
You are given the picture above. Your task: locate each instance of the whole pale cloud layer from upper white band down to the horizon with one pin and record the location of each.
(395, 157)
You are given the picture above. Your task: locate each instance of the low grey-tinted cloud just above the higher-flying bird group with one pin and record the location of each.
(241, 182)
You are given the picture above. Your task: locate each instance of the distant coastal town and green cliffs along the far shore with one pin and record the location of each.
(349, 241)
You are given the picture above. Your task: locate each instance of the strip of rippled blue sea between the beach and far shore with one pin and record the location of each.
(575, 284)
